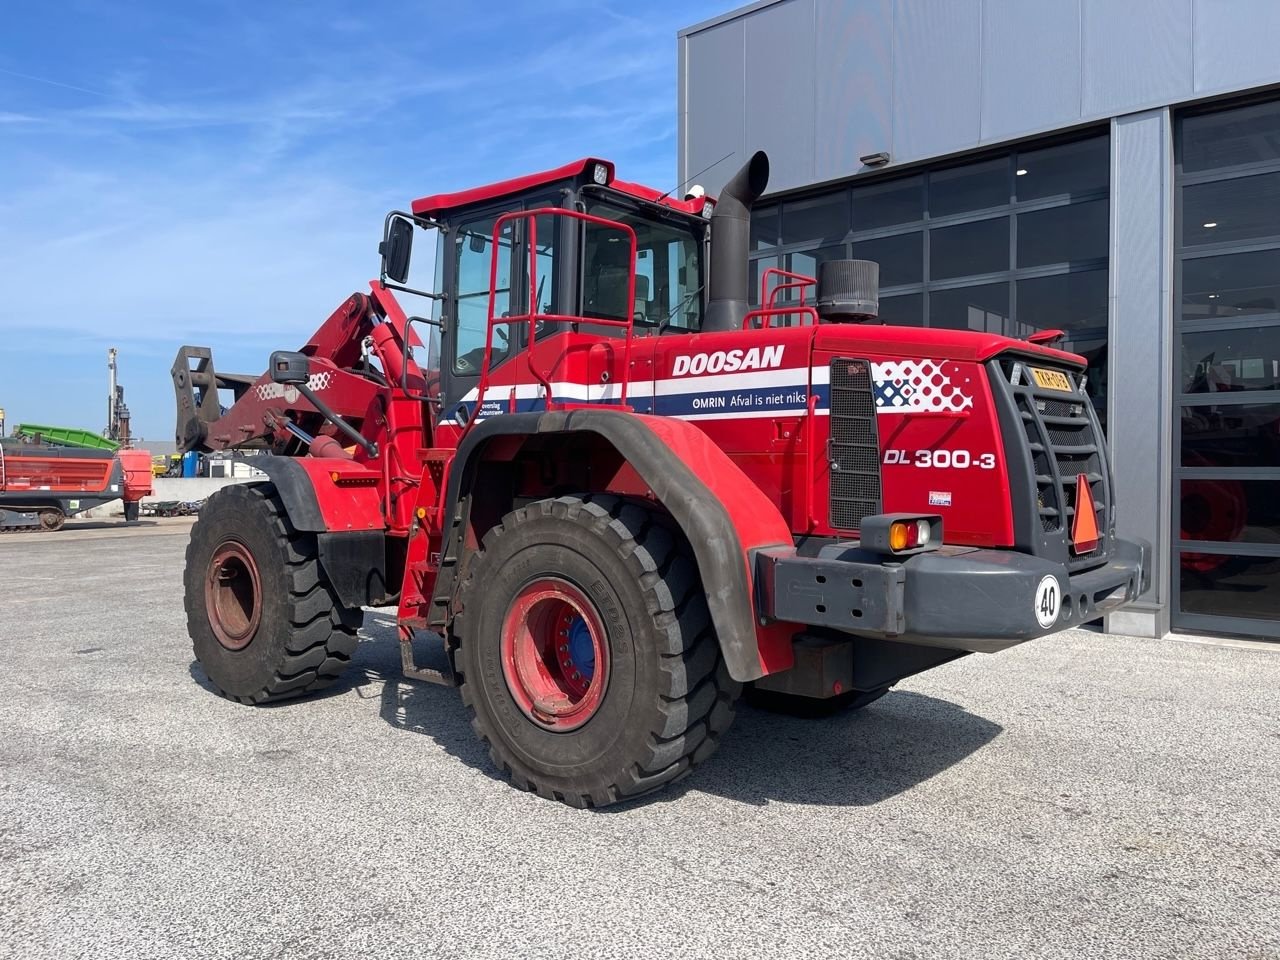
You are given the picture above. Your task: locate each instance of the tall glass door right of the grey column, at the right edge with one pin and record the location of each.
(1227, 424)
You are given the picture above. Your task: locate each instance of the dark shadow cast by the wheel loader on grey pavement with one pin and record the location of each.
(852, 760)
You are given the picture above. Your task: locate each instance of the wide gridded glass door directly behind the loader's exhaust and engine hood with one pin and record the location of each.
(1012, 245)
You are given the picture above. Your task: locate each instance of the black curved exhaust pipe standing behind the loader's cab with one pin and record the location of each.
(729, 290)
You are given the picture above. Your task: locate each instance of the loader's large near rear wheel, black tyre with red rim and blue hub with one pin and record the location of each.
(655, 697)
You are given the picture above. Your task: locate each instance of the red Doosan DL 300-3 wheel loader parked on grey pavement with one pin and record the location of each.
(618, 493)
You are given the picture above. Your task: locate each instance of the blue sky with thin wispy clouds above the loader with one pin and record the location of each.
(216, 172)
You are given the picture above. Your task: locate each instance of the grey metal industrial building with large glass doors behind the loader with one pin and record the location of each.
(1112, 170)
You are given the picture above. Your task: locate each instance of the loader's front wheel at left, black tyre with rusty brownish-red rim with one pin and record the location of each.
(264, 621)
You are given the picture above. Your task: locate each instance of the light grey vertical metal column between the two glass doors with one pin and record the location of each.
(1140, 345)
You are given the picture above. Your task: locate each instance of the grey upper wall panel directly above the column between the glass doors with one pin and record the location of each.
(1136, 54)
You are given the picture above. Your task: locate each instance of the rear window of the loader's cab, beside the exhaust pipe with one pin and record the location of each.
(669, 271)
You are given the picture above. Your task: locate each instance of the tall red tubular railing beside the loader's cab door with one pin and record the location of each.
(534, 318)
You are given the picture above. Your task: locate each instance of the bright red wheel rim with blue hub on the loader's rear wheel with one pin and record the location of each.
(555, 655)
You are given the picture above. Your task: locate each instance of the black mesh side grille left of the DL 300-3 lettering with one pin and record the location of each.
(853, 452)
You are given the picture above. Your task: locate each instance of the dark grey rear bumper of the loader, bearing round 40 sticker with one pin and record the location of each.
(958, 598)
